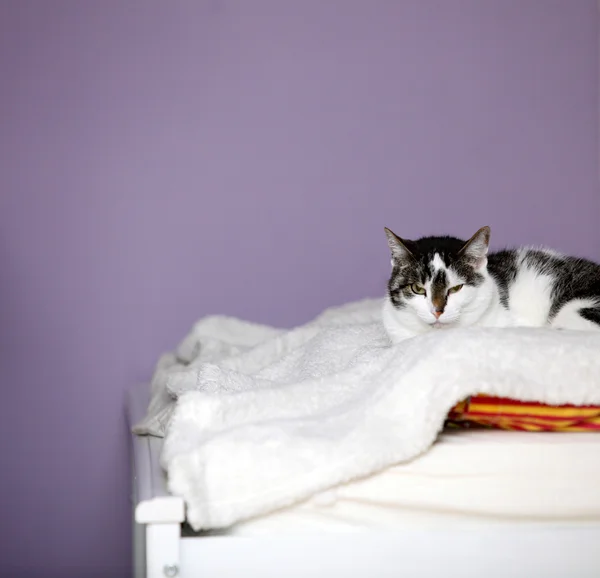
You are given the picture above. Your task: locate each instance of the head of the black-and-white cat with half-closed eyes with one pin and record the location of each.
(437, 280)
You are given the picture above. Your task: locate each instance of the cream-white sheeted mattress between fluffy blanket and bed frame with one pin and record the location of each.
(471, 476)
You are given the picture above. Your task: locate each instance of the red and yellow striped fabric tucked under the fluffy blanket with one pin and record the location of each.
(509, 414)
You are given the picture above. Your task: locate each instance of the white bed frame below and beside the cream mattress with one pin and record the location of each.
(483, 550)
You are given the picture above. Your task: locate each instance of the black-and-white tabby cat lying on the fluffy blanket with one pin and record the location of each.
(444, 282)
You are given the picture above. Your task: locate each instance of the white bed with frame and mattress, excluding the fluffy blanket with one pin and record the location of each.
(479, 502)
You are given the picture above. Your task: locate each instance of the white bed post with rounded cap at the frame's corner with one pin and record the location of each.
(162, 518)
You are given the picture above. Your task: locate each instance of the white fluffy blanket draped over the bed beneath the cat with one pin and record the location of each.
(265, 418)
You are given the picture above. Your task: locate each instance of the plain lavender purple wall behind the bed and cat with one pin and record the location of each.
(165, 160)
